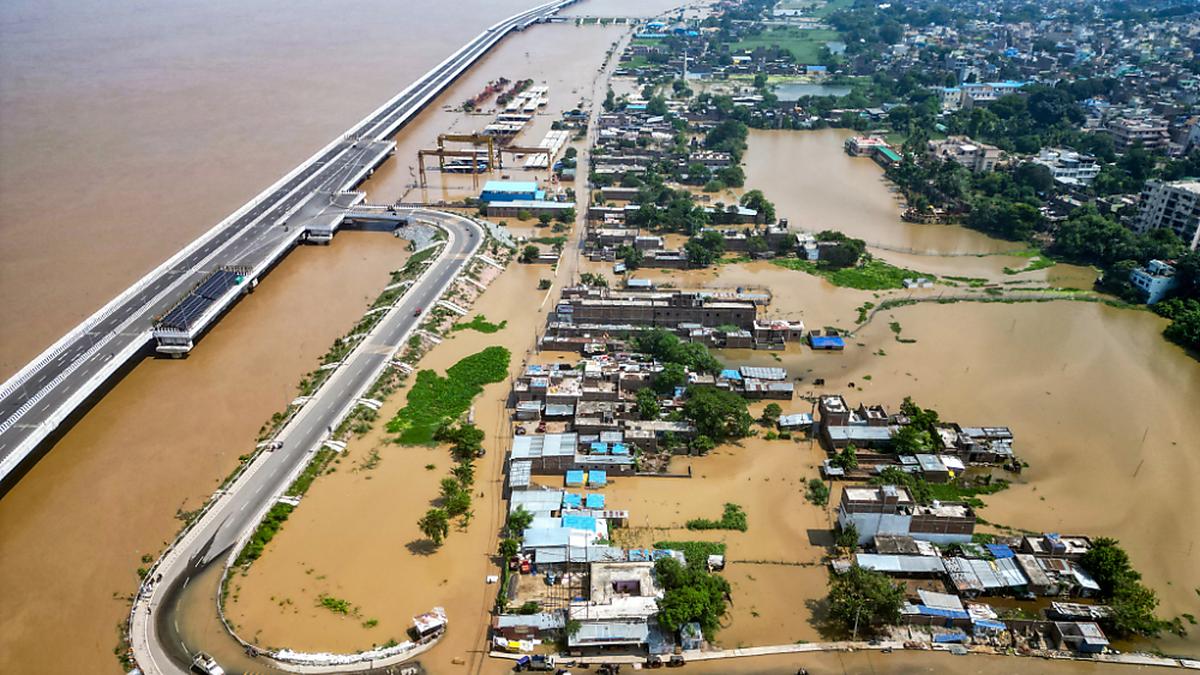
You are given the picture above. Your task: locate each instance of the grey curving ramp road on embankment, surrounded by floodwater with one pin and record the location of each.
(158, 643)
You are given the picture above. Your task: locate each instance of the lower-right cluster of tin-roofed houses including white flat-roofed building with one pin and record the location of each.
(932, 549)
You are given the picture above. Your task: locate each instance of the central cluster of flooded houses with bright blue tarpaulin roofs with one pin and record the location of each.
(577, 429)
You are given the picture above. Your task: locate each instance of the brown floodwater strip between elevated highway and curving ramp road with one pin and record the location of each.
(75, 529)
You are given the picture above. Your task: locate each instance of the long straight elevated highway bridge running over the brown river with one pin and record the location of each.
(39, 398)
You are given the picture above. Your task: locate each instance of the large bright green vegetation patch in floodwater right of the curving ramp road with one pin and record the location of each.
(435, 399)
